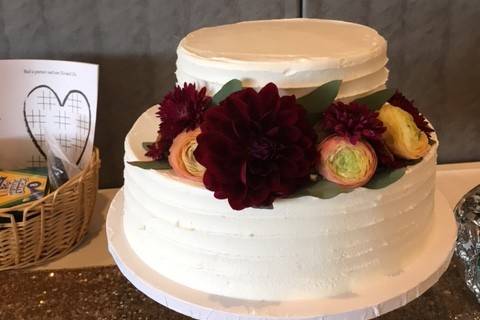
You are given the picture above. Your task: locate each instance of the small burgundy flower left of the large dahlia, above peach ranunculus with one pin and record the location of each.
(181, 109)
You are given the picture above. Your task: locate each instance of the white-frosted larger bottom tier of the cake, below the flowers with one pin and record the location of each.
(303, 248)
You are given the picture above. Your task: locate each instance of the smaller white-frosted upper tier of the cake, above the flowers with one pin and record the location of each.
(298, 55)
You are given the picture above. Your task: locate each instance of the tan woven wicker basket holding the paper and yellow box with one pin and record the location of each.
(50, 227)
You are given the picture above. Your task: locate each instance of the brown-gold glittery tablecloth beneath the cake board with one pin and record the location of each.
(103, 293)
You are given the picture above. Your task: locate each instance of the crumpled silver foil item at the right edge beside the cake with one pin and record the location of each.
(467, 214)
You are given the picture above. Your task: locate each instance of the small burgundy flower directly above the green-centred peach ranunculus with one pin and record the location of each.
(352, 120)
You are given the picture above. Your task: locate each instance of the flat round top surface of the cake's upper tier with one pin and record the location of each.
(288, 39)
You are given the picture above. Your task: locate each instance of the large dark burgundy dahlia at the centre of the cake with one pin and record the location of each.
(255, 147)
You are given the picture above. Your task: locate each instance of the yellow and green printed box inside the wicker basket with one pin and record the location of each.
(20, 186)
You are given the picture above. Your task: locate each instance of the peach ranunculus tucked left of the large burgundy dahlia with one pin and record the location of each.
(181, 156)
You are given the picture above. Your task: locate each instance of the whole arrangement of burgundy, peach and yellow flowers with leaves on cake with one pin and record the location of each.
(252, 147)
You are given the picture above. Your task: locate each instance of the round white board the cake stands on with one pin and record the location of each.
(367, 304)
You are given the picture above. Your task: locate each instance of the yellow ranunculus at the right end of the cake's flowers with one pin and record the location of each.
(402, 137)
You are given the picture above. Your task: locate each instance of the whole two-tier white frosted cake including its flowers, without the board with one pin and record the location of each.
(316, 182)
